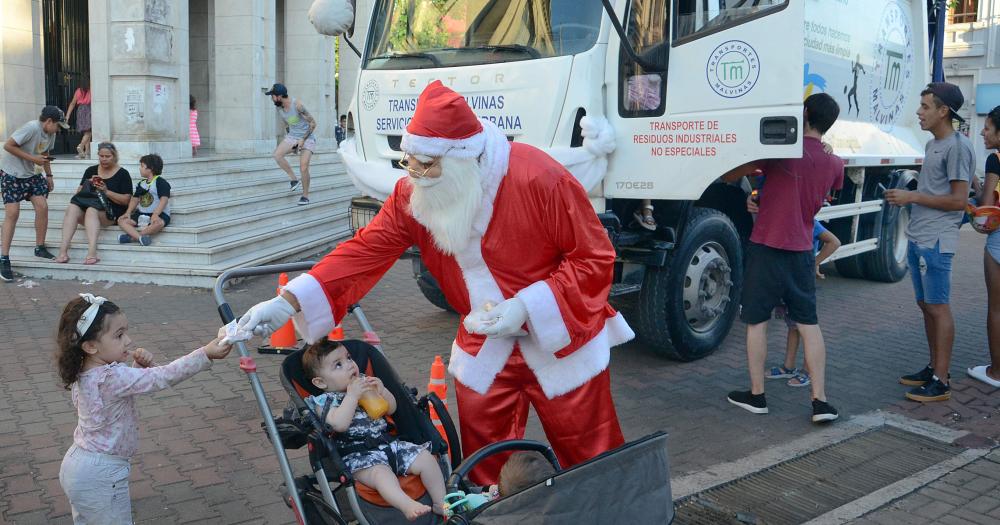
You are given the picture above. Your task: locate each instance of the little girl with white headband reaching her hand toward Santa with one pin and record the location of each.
(93, 347)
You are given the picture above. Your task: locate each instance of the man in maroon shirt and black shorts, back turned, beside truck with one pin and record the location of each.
(780, 260)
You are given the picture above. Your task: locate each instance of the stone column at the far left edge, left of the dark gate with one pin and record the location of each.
(22, 64)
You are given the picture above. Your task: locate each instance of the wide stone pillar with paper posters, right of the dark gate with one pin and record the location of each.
(139, 76)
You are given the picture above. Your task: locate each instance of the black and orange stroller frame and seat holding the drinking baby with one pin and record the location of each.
(322, 495)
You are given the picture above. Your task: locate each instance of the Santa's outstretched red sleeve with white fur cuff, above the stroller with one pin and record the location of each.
(348, 272)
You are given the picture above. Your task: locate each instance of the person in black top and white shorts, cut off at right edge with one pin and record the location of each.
(990, 374)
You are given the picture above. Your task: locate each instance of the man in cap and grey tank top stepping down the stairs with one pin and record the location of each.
(299, 127)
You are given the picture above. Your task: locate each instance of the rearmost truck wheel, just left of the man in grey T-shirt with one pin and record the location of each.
(887, 263)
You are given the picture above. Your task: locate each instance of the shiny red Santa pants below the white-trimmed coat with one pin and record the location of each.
(579, 424)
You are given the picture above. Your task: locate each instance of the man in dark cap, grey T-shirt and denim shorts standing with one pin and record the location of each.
(936, 209)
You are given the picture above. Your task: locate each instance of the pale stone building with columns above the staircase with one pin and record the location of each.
(145, 57)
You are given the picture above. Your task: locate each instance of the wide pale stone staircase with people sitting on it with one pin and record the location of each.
(226, 212)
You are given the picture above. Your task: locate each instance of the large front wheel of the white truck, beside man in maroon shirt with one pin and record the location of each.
(686, 308)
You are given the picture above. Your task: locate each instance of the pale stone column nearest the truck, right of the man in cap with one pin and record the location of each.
(309, 70)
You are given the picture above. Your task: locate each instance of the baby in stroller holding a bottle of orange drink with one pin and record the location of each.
(373, 456)
